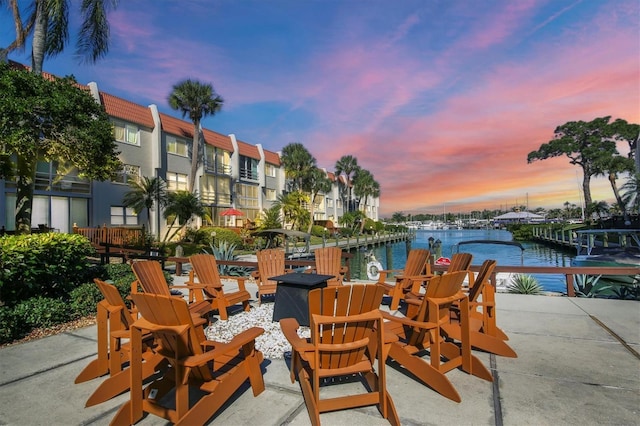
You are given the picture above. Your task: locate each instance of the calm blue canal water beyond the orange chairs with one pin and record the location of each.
(533, 255)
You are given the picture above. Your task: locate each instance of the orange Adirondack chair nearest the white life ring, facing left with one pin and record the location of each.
(408, 279)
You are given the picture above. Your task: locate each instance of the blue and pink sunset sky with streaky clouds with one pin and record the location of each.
(440, 100)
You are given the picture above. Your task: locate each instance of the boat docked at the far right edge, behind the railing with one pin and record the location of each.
(609, 247)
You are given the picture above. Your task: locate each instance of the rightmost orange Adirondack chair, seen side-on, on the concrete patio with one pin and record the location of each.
(484, 333)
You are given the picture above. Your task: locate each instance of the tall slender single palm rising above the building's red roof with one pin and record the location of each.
(197, 100)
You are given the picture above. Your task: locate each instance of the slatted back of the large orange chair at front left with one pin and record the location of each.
(175, 330)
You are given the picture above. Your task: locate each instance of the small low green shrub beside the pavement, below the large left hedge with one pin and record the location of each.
(38, 312)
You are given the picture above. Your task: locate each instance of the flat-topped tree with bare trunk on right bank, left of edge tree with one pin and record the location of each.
(585, 144)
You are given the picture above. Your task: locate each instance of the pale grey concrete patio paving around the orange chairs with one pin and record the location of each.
(578, 364)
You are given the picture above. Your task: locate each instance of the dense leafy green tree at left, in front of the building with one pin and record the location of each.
(51, 119)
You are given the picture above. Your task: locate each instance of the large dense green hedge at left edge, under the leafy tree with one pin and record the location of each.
(50, 265)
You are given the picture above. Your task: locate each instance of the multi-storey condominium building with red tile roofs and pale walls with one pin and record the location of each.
(232, 173)
